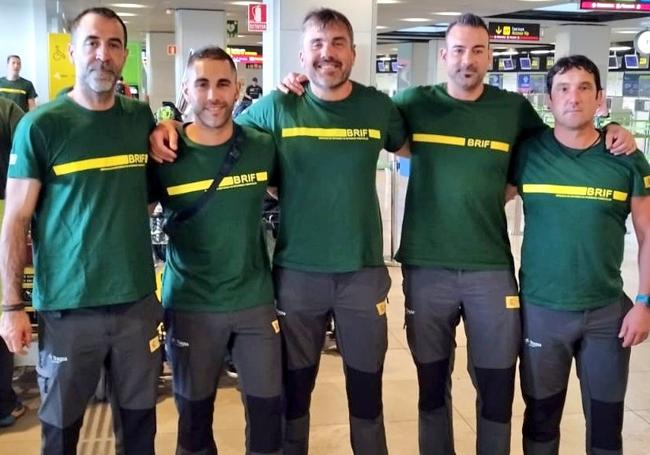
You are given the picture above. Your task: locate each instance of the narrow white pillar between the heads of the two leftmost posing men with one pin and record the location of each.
(161, 81)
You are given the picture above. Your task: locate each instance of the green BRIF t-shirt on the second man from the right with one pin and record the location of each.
(454, 216)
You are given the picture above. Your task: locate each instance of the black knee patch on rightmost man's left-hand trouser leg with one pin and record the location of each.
(542, 417)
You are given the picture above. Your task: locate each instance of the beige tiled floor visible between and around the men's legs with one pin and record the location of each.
(329, 435)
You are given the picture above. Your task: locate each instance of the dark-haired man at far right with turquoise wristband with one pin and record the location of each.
(577, 197)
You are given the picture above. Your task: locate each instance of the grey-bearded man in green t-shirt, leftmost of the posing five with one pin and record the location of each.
(77, 176)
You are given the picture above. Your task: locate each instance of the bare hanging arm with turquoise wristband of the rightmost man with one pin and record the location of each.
(636, 323)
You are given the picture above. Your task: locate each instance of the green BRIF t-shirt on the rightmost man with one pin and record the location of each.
(575, 206)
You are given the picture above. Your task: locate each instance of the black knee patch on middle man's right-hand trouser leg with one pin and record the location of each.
(364, 393)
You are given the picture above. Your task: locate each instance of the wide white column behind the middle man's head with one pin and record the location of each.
(283, 39)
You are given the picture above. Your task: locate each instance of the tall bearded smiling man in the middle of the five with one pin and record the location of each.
(328, 142)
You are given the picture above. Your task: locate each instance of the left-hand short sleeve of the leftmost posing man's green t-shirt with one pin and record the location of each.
(29, 152)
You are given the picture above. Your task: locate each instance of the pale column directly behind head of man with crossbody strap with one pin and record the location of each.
(195, 29)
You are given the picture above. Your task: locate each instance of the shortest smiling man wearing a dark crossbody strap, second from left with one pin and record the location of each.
(217, 285)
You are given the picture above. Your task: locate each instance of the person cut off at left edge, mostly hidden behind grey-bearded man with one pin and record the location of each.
(10, 407)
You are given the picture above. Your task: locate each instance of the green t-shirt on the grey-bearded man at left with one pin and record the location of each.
(92, 243)
